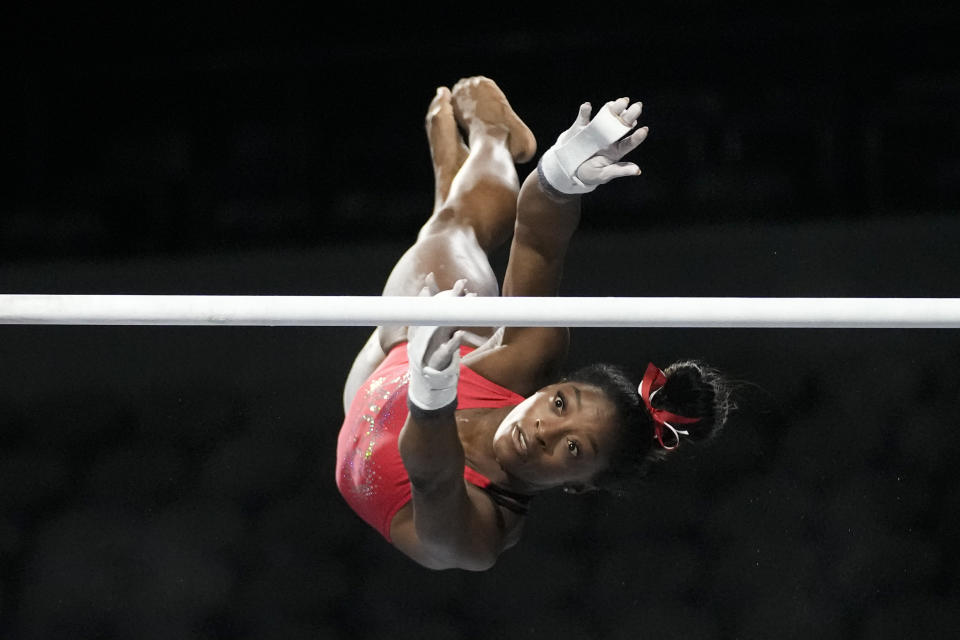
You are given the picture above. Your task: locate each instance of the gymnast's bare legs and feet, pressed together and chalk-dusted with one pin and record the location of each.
(475, 196)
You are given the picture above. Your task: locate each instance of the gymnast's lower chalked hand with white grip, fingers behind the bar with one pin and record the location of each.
(434, 354)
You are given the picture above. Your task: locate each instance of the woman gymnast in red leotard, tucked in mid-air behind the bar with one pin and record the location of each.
(449, 432)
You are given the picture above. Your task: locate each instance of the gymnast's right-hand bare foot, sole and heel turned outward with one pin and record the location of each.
(478, 101)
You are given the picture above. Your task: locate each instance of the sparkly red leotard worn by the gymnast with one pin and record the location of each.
(370, 473)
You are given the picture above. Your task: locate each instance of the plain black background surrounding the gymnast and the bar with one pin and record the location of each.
(178, 482)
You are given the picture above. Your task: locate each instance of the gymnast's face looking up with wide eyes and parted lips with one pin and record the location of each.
(560, 436)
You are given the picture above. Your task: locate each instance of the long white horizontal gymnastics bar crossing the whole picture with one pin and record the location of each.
(910, 313)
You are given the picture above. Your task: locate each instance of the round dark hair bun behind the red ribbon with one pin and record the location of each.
(696, 390)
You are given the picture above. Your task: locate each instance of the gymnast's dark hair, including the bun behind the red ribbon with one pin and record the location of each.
(692, 389)
